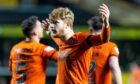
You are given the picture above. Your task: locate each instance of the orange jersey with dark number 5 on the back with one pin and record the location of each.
(28, 61)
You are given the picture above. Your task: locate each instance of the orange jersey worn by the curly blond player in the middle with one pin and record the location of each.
(74, 70)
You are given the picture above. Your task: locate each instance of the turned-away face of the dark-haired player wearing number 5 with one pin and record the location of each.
(39, 29)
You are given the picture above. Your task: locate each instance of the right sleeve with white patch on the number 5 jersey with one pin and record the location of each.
(50, 53)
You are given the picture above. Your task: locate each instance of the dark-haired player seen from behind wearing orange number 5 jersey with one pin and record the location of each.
(28, 58)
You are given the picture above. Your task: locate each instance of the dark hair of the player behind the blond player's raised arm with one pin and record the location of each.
(96, 23)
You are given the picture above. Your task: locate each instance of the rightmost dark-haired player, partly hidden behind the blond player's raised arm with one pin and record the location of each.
(104, 59)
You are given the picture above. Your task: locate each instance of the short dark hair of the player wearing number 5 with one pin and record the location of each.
(28, 25)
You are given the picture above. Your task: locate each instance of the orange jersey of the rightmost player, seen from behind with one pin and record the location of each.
(100, 72)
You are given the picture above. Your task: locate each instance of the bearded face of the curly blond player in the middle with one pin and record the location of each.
(59, 28)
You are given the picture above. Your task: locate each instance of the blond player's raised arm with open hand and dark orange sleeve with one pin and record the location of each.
(104, 36)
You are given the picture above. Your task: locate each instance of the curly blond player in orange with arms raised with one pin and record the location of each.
(73, 68)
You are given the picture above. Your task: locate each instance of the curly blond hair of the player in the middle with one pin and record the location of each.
(63, 14)
